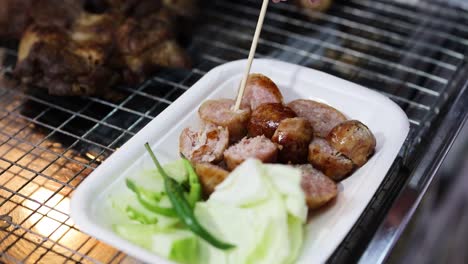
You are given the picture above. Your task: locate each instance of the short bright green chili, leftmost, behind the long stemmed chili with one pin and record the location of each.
(149, 200)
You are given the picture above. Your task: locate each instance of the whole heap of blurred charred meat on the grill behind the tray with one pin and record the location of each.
(84, 47)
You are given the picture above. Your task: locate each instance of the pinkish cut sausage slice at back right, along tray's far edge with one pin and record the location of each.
(322, 117)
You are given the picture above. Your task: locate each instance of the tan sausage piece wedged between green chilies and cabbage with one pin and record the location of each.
(210, 176)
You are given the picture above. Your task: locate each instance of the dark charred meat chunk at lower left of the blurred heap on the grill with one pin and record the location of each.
(47, 57)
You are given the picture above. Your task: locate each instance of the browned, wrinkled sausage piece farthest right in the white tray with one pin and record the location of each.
(353, 139)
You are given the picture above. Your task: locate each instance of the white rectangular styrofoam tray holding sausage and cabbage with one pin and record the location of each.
(326, 229)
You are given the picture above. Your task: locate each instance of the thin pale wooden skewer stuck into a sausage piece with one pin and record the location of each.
(253, 48)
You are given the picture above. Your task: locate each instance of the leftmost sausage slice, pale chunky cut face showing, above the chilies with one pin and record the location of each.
(205, 145)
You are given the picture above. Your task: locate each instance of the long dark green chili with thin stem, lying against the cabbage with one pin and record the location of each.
(182, 207)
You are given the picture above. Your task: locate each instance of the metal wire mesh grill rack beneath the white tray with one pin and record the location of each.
(48, 145)
